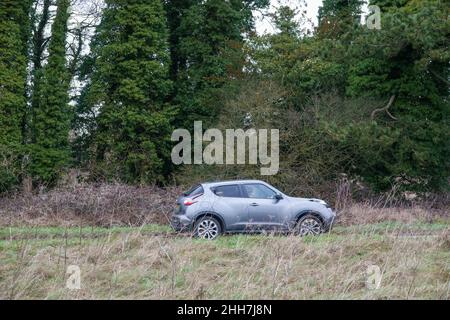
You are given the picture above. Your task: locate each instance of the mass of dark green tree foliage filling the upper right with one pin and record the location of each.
(407, 60)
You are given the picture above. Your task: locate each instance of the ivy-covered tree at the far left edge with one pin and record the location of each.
(13, 63)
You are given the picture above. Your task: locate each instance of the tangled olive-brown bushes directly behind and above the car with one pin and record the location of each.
(309, 157)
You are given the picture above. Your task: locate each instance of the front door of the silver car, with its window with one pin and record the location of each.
(265, 211)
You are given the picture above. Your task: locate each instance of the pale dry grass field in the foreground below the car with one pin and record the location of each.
(151, 263)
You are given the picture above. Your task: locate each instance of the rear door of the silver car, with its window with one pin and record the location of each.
(229, 203)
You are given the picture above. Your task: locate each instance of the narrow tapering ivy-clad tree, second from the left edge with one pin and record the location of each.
(50, 145)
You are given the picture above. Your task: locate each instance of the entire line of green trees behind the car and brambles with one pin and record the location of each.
(370, 105)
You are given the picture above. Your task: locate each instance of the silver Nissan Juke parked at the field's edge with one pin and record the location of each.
(210, 209)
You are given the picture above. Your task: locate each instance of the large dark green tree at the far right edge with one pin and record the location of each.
(405, 66)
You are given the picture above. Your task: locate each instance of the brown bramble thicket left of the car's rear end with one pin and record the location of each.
(98, 205)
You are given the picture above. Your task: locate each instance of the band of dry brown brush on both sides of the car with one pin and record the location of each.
(108, 205)
